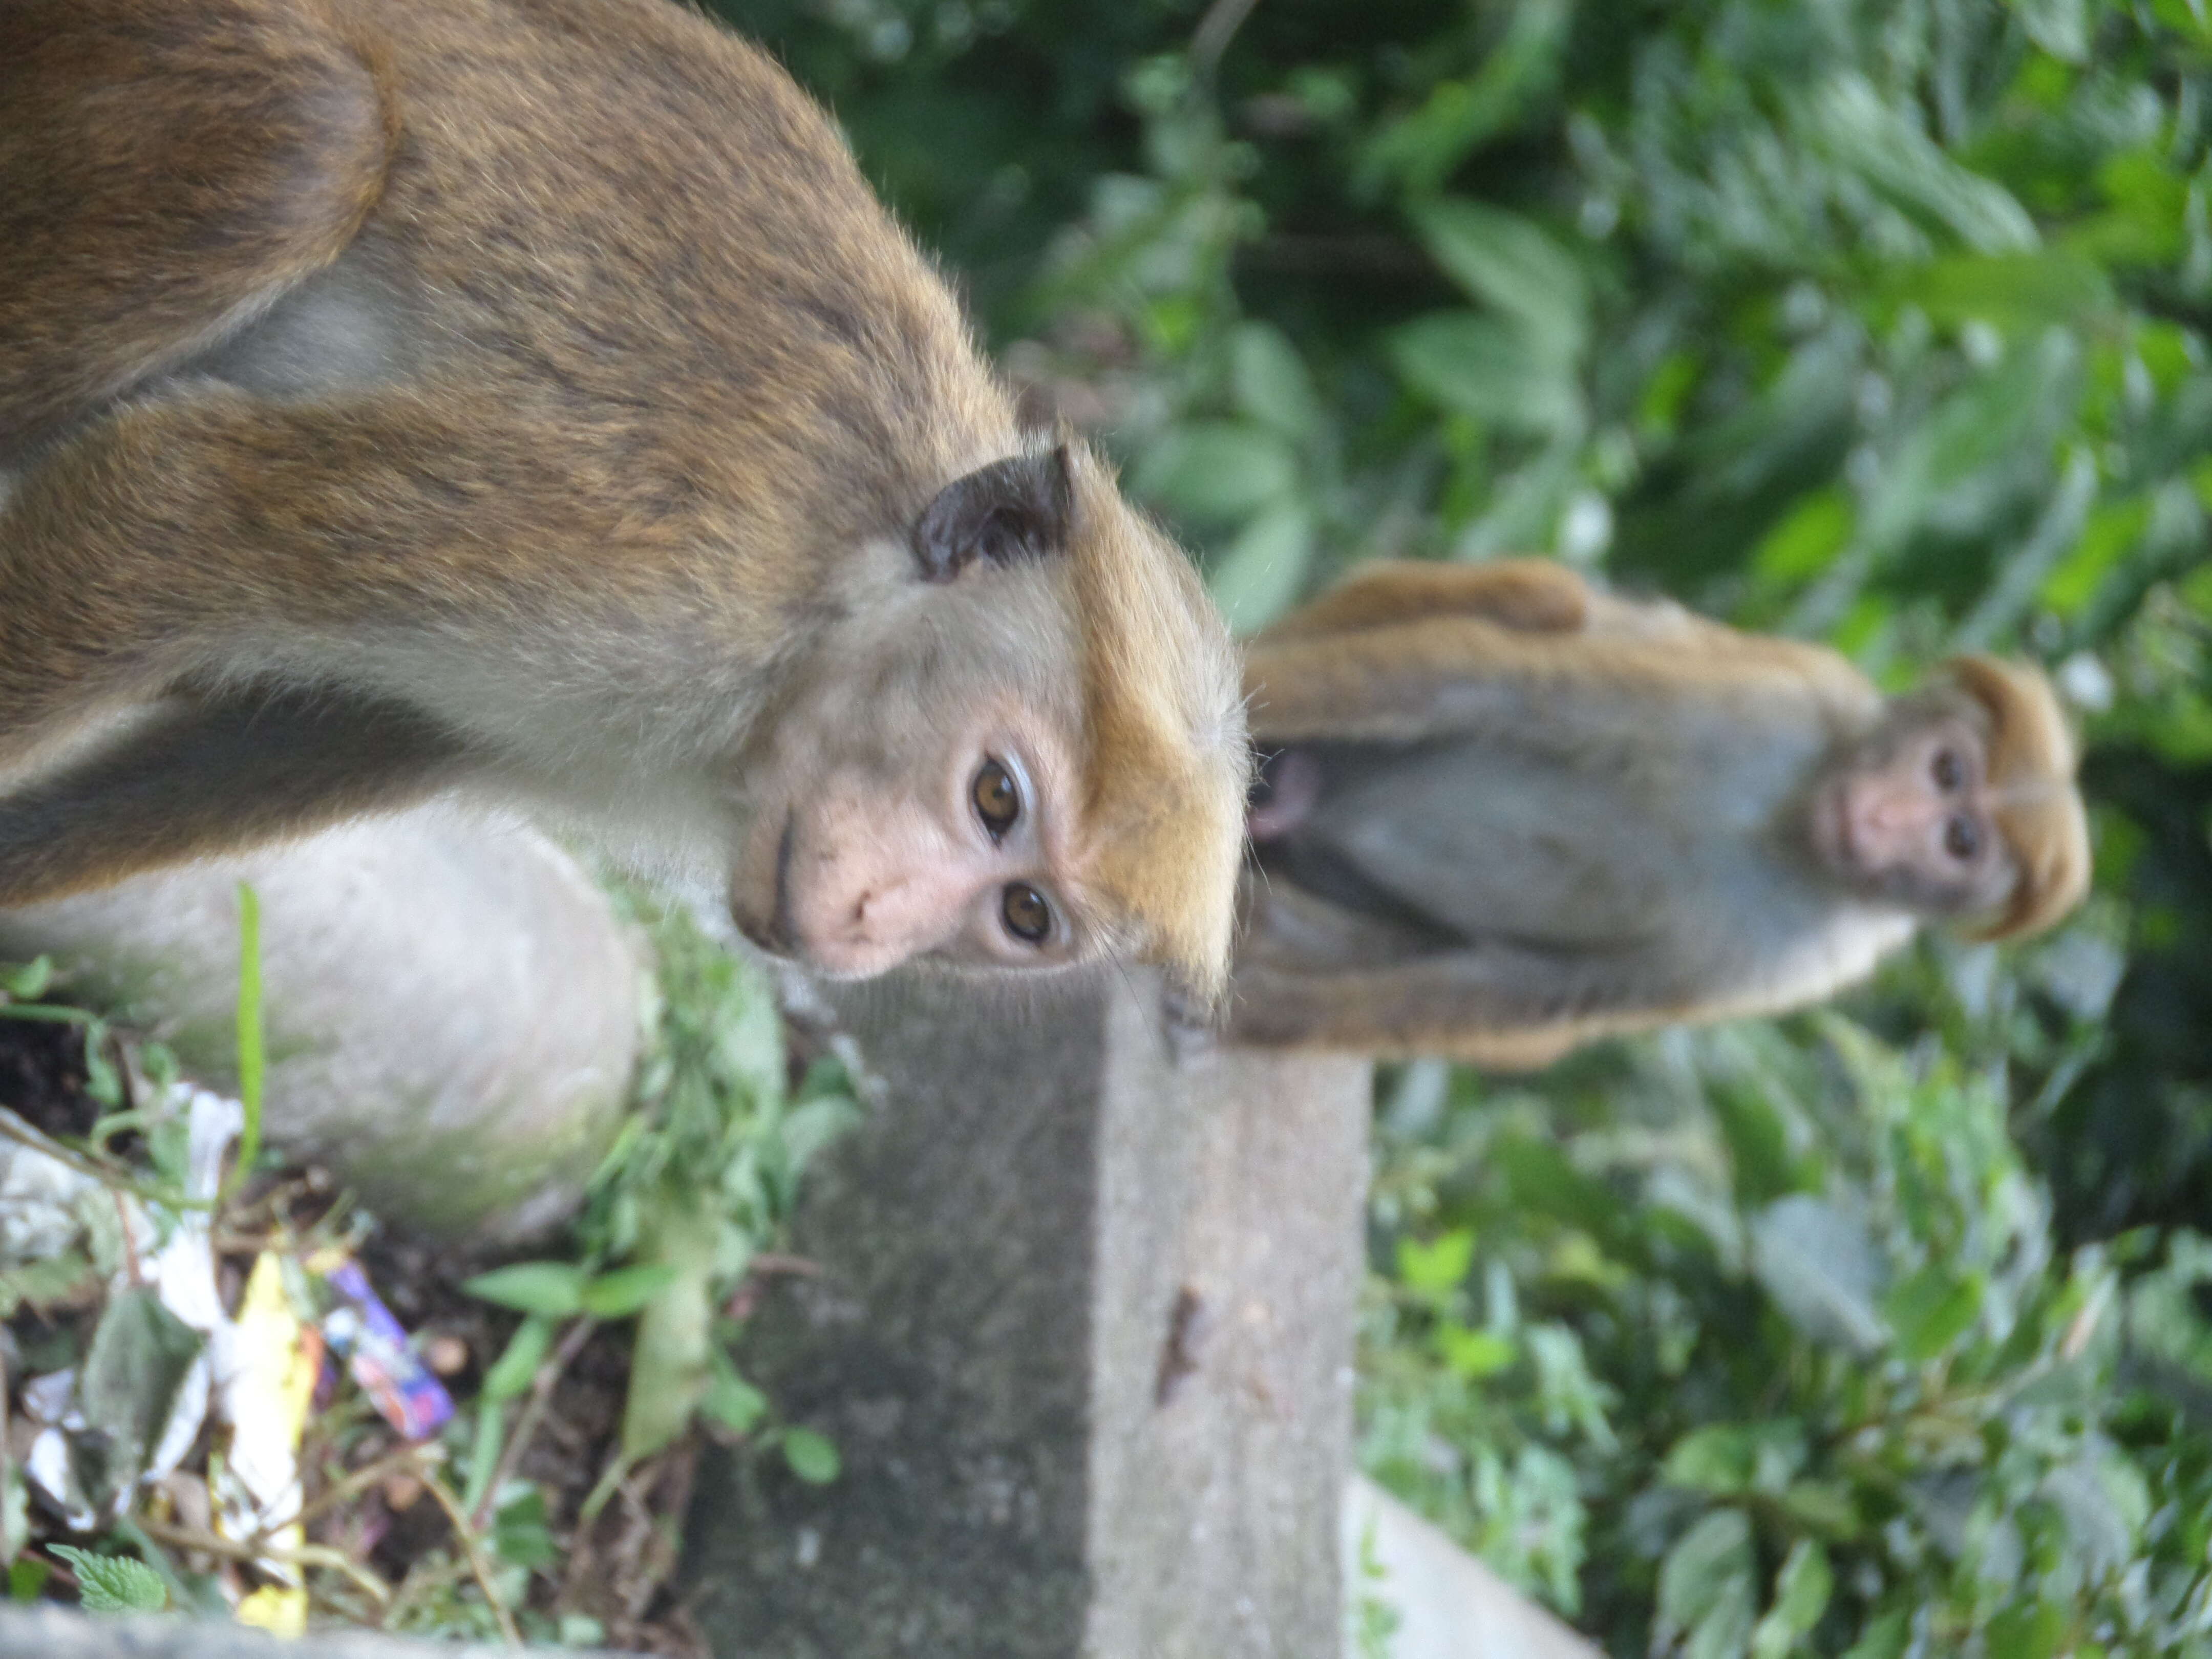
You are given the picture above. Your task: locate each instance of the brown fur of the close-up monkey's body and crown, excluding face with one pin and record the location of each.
(658, 368)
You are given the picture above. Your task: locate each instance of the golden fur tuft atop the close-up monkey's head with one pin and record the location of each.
(1169, 766)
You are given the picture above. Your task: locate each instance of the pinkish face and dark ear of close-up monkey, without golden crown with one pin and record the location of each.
(924, 808)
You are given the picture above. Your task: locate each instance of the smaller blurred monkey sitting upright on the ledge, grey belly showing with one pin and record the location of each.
(1505, 813)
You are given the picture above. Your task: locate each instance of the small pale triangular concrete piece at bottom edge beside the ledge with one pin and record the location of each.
(1448, 1605)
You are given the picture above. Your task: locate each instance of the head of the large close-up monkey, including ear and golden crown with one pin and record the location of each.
(1030, 755)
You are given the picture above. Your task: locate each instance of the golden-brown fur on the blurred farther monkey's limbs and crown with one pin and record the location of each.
(1410, 654)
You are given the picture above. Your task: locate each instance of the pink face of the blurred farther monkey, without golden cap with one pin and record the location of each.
(1912, 817)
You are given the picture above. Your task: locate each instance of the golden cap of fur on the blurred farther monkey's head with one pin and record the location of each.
(2032, 773)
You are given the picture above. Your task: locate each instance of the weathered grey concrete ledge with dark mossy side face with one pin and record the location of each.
(1085, 1342)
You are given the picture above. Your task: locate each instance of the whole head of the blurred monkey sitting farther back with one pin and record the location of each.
(1963, 804)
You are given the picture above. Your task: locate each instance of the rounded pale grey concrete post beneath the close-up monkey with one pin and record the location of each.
(452, 1005)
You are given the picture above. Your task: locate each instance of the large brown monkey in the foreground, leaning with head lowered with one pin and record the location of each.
(530, 397)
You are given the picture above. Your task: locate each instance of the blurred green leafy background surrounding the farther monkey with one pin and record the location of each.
(1868, 1333)
